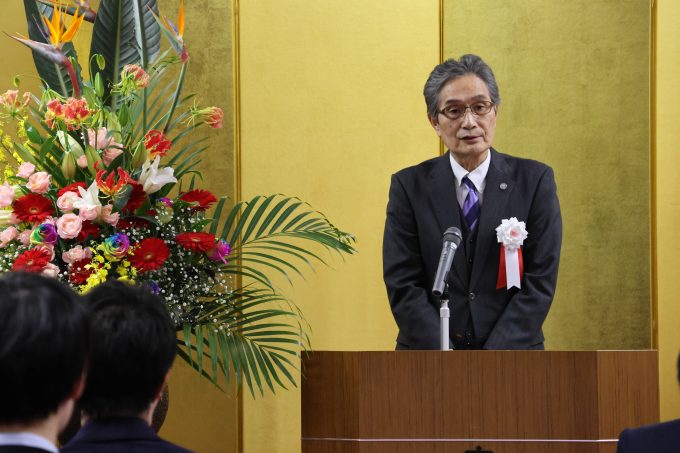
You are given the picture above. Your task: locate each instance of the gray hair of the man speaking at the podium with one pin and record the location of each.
(452, 69)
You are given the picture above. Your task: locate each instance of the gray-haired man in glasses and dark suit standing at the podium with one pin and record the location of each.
(474, 188)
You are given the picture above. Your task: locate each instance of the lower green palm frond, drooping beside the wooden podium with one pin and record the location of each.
(251, 336)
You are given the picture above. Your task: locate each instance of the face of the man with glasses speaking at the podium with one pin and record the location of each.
(469, 136)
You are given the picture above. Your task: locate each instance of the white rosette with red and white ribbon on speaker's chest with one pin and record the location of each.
(511, 234)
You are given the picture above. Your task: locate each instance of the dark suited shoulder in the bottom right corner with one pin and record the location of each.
(659, 438)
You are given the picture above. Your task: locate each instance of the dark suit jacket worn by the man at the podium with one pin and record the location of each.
(423, 204)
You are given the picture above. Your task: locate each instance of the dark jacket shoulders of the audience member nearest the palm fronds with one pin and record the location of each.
(120, 435)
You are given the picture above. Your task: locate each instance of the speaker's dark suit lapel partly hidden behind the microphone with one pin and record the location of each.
(442, 190)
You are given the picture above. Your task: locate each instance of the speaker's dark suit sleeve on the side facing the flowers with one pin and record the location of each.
(404, 276)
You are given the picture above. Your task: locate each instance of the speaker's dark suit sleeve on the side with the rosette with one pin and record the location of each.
(520, 323)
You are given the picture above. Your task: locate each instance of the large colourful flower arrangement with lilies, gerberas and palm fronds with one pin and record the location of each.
(100, 183)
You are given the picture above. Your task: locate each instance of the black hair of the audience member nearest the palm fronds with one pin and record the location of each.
(133, 344)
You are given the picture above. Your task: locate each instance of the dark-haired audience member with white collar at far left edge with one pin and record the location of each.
(43, 348)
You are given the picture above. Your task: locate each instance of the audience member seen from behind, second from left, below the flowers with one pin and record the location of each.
(133, 345)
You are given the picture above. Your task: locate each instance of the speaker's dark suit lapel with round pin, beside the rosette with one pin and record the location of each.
(495, 199)
